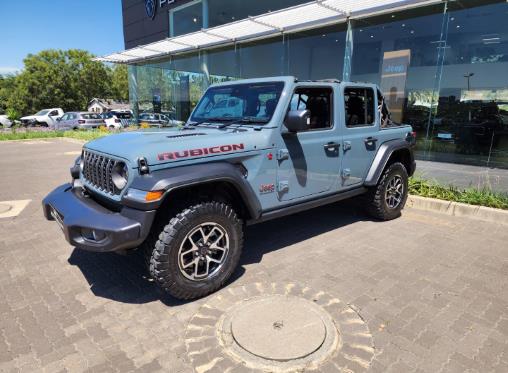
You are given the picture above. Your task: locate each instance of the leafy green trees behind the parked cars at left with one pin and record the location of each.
(67, 79)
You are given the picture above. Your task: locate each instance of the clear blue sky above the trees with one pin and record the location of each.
(29, 26)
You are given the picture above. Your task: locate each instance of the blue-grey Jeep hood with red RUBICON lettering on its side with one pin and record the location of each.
(175, 145)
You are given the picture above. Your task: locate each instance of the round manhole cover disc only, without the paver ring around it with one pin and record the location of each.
(280, 328)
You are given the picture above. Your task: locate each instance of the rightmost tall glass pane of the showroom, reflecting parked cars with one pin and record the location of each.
(471, 123)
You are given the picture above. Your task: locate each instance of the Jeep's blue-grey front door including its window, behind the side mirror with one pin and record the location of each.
(309, 161)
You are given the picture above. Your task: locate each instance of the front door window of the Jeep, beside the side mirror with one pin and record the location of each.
(318, 101)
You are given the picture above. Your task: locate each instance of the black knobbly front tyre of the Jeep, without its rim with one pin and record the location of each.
(164, 267)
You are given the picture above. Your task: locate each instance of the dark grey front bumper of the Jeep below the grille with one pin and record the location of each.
(79, 216)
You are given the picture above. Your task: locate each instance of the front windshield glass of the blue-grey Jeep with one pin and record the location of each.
(256, 101)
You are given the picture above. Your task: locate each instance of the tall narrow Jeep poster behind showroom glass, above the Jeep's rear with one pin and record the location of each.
(393, 80)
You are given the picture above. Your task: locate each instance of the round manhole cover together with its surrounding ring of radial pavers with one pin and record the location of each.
(277, 328)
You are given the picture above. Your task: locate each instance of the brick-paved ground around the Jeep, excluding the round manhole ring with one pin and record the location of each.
(432, 289)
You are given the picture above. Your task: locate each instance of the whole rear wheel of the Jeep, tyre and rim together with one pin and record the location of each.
(387, 199)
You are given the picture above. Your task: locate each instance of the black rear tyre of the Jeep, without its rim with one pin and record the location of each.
(377, 206)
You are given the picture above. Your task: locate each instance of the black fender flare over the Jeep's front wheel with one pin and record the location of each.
(175, 178)
